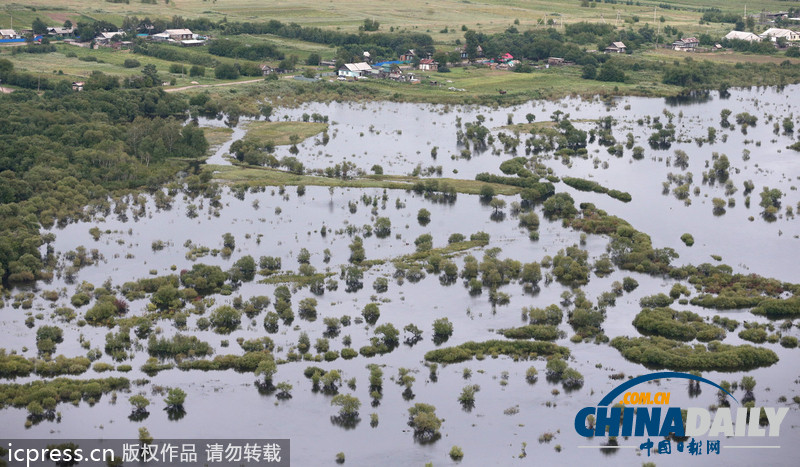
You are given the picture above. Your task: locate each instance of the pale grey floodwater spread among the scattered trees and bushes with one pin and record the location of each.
(226, 404)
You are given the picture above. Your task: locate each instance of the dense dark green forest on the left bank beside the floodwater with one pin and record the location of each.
(62, 150)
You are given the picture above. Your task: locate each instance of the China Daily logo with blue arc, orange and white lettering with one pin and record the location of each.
(653, 417)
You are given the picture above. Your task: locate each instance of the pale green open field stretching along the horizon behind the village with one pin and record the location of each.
(419, 15)
